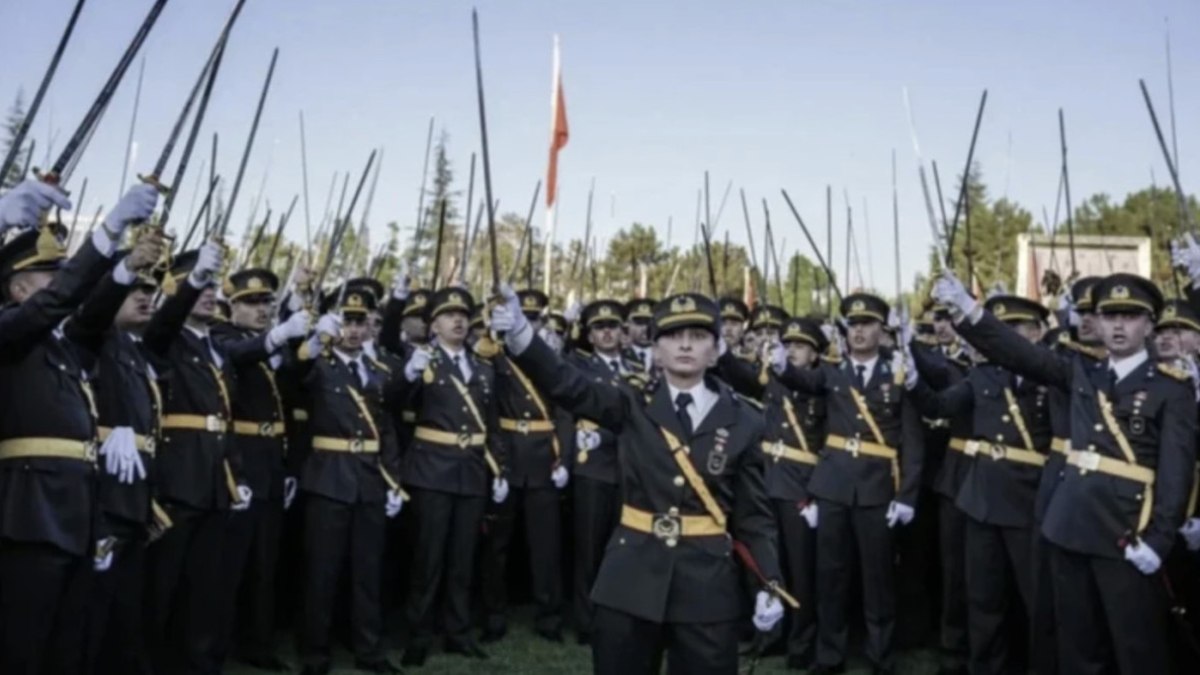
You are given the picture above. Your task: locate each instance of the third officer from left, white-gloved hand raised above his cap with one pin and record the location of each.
(199, 471)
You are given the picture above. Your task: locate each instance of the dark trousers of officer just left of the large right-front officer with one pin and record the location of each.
(999, 570)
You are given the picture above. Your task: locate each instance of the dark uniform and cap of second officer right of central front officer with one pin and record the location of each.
(872, 458)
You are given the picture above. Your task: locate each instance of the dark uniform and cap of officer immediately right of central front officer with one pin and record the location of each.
(796, 428)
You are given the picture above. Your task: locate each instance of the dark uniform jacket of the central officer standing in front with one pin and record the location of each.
(699, 580)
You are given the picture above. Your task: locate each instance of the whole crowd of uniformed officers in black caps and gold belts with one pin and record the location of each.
(181, 440)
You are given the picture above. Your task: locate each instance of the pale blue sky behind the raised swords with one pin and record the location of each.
(770, 95)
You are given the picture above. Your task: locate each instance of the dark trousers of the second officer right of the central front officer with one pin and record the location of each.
(842, 530)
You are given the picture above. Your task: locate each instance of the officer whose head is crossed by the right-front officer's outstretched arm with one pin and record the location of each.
(1006, 455)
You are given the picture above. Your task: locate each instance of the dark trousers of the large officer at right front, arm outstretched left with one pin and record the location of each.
(1112, 618)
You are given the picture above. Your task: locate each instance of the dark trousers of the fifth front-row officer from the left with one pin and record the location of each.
(340, 536)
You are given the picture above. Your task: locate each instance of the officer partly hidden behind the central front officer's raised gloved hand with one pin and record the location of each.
(538, 470)
